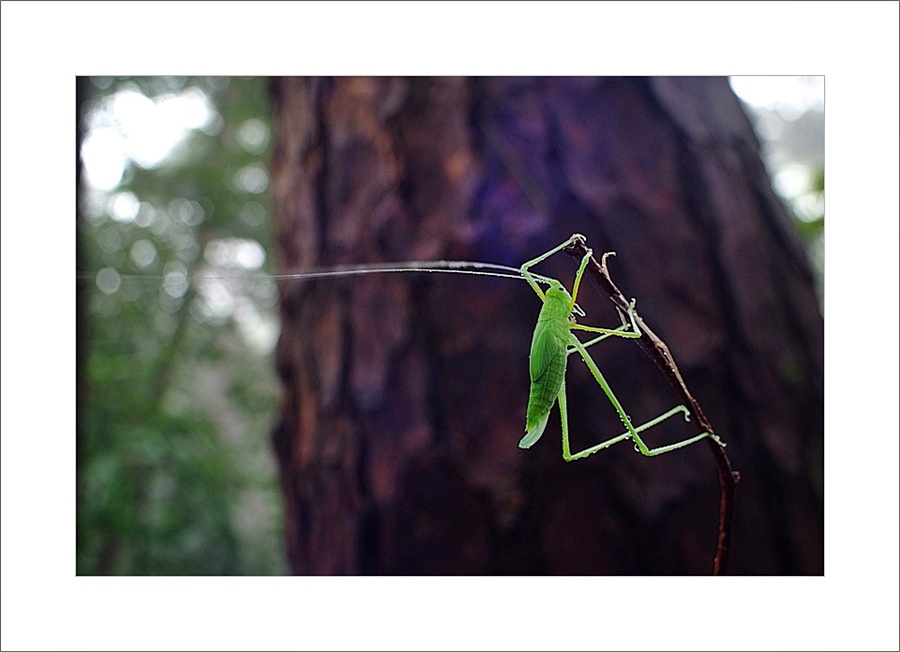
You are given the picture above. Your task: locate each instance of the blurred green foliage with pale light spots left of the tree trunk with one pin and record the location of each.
(175, 470)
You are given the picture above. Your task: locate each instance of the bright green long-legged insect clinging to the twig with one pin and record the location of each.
(551, 345)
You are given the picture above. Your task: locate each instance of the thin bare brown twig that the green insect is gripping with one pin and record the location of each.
(659, 353)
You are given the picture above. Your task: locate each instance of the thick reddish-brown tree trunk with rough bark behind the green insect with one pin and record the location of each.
(404, 395)
